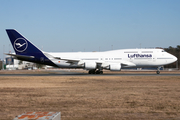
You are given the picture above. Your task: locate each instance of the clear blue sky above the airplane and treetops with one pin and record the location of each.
(91, 25)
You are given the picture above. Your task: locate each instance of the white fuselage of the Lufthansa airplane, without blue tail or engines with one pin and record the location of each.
(125, 57)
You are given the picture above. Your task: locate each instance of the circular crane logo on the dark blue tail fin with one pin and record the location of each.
(20, 44)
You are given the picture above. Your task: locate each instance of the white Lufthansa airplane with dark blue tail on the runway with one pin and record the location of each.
(94, 62)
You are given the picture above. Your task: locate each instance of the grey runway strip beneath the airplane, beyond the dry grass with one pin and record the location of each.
(75, 73)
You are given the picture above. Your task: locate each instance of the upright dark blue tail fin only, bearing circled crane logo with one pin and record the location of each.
(20, 44)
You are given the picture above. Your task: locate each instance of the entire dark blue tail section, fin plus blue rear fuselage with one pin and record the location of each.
(25, 50)
